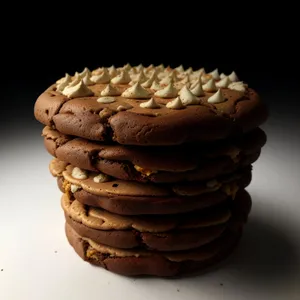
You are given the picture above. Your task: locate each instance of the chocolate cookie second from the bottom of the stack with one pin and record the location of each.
(162, 233)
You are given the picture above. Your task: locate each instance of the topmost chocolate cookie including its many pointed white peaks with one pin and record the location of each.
(150, 106)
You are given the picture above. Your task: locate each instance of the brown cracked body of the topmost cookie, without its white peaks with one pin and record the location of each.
(83, 117)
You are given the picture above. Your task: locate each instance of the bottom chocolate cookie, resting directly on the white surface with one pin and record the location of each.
(142, 262)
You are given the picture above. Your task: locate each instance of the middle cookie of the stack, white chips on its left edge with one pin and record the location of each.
(133, 198)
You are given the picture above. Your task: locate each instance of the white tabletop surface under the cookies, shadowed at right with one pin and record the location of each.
(38, 262)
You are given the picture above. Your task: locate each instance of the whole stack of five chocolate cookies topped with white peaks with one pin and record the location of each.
(153, 164)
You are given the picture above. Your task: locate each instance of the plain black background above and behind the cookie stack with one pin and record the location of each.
(38, 47)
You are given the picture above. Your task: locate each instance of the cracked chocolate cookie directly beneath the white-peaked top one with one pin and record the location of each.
(193, 162)
